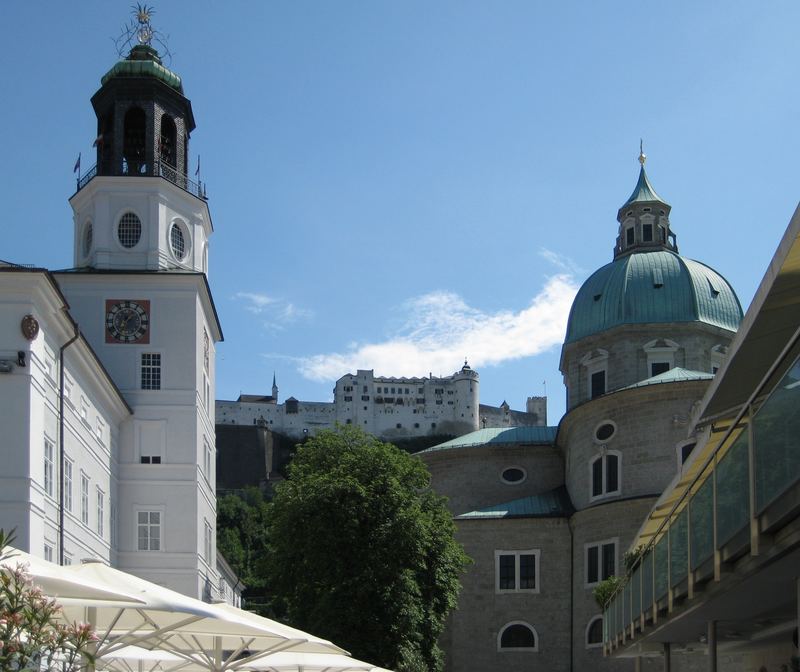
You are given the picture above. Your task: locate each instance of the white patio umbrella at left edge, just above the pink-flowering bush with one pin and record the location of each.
(63, 587)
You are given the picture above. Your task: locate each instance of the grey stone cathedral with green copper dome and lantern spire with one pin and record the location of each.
(547, 513)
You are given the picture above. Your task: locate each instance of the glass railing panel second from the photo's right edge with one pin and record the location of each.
(733, 498)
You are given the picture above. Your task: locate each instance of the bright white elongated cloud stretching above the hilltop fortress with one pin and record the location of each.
(440, 329)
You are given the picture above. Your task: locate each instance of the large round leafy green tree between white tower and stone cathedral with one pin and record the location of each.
(361, 550)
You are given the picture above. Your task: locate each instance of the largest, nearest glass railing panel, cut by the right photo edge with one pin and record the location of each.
(776, 432)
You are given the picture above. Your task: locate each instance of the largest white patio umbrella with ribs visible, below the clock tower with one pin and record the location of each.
(212, 636)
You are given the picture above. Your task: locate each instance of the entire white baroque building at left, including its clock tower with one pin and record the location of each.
(107, 368)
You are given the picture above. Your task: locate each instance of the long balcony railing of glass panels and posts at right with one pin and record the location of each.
(746, 489)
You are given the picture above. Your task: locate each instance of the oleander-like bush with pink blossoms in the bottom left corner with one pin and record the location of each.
(31, 634)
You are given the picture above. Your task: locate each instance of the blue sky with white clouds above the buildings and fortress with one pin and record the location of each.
(398, 185)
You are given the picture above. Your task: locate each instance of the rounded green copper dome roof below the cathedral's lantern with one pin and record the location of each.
(652, 287)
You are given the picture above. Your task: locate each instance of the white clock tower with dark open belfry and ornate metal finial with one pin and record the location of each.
(139, 291)
